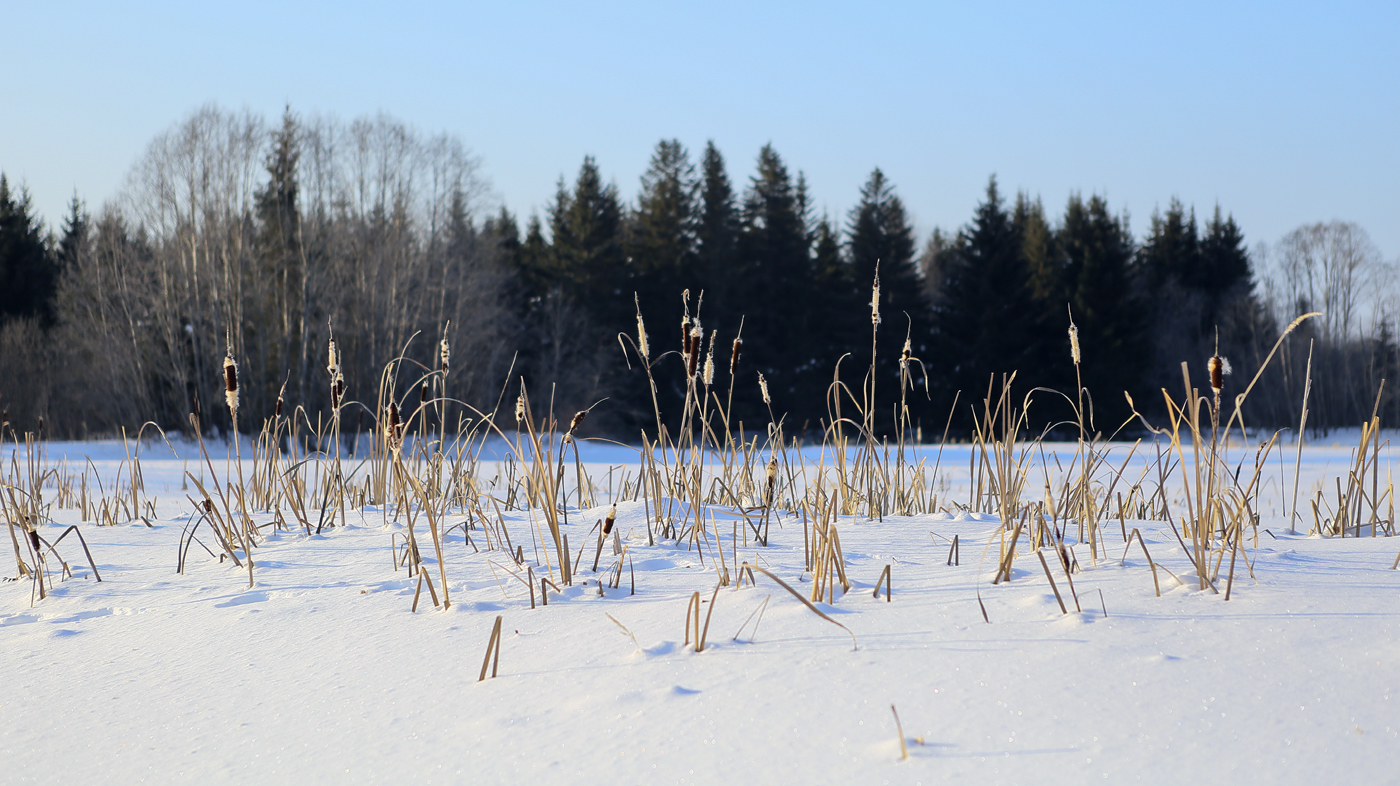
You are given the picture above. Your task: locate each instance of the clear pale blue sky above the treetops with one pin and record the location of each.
(1283, 114)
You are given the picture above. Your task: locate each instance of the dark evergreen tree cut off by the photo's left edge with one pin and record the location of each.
(29, 273)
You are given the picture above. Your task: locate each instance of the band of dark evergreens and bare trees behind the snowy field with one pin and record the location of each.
(272, 237)
